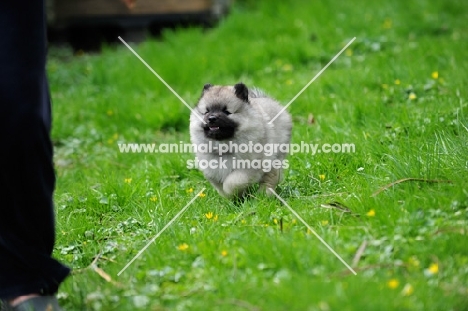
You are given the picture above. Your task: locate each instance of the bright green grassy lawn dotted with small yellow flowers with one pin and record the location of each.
(398, 93)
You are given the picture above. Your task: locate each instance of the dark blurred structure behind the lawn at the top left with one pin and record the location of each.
(86, 24)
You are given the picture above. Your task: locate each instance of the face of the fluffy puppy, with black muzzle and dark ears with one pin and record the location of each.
(221, 108)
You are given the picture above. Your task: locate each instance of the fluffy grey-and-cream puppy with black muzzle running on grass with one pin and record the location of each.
(235, 145)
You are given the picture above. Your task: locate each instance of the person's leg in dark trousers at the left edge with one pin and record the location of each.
(27, 180)
